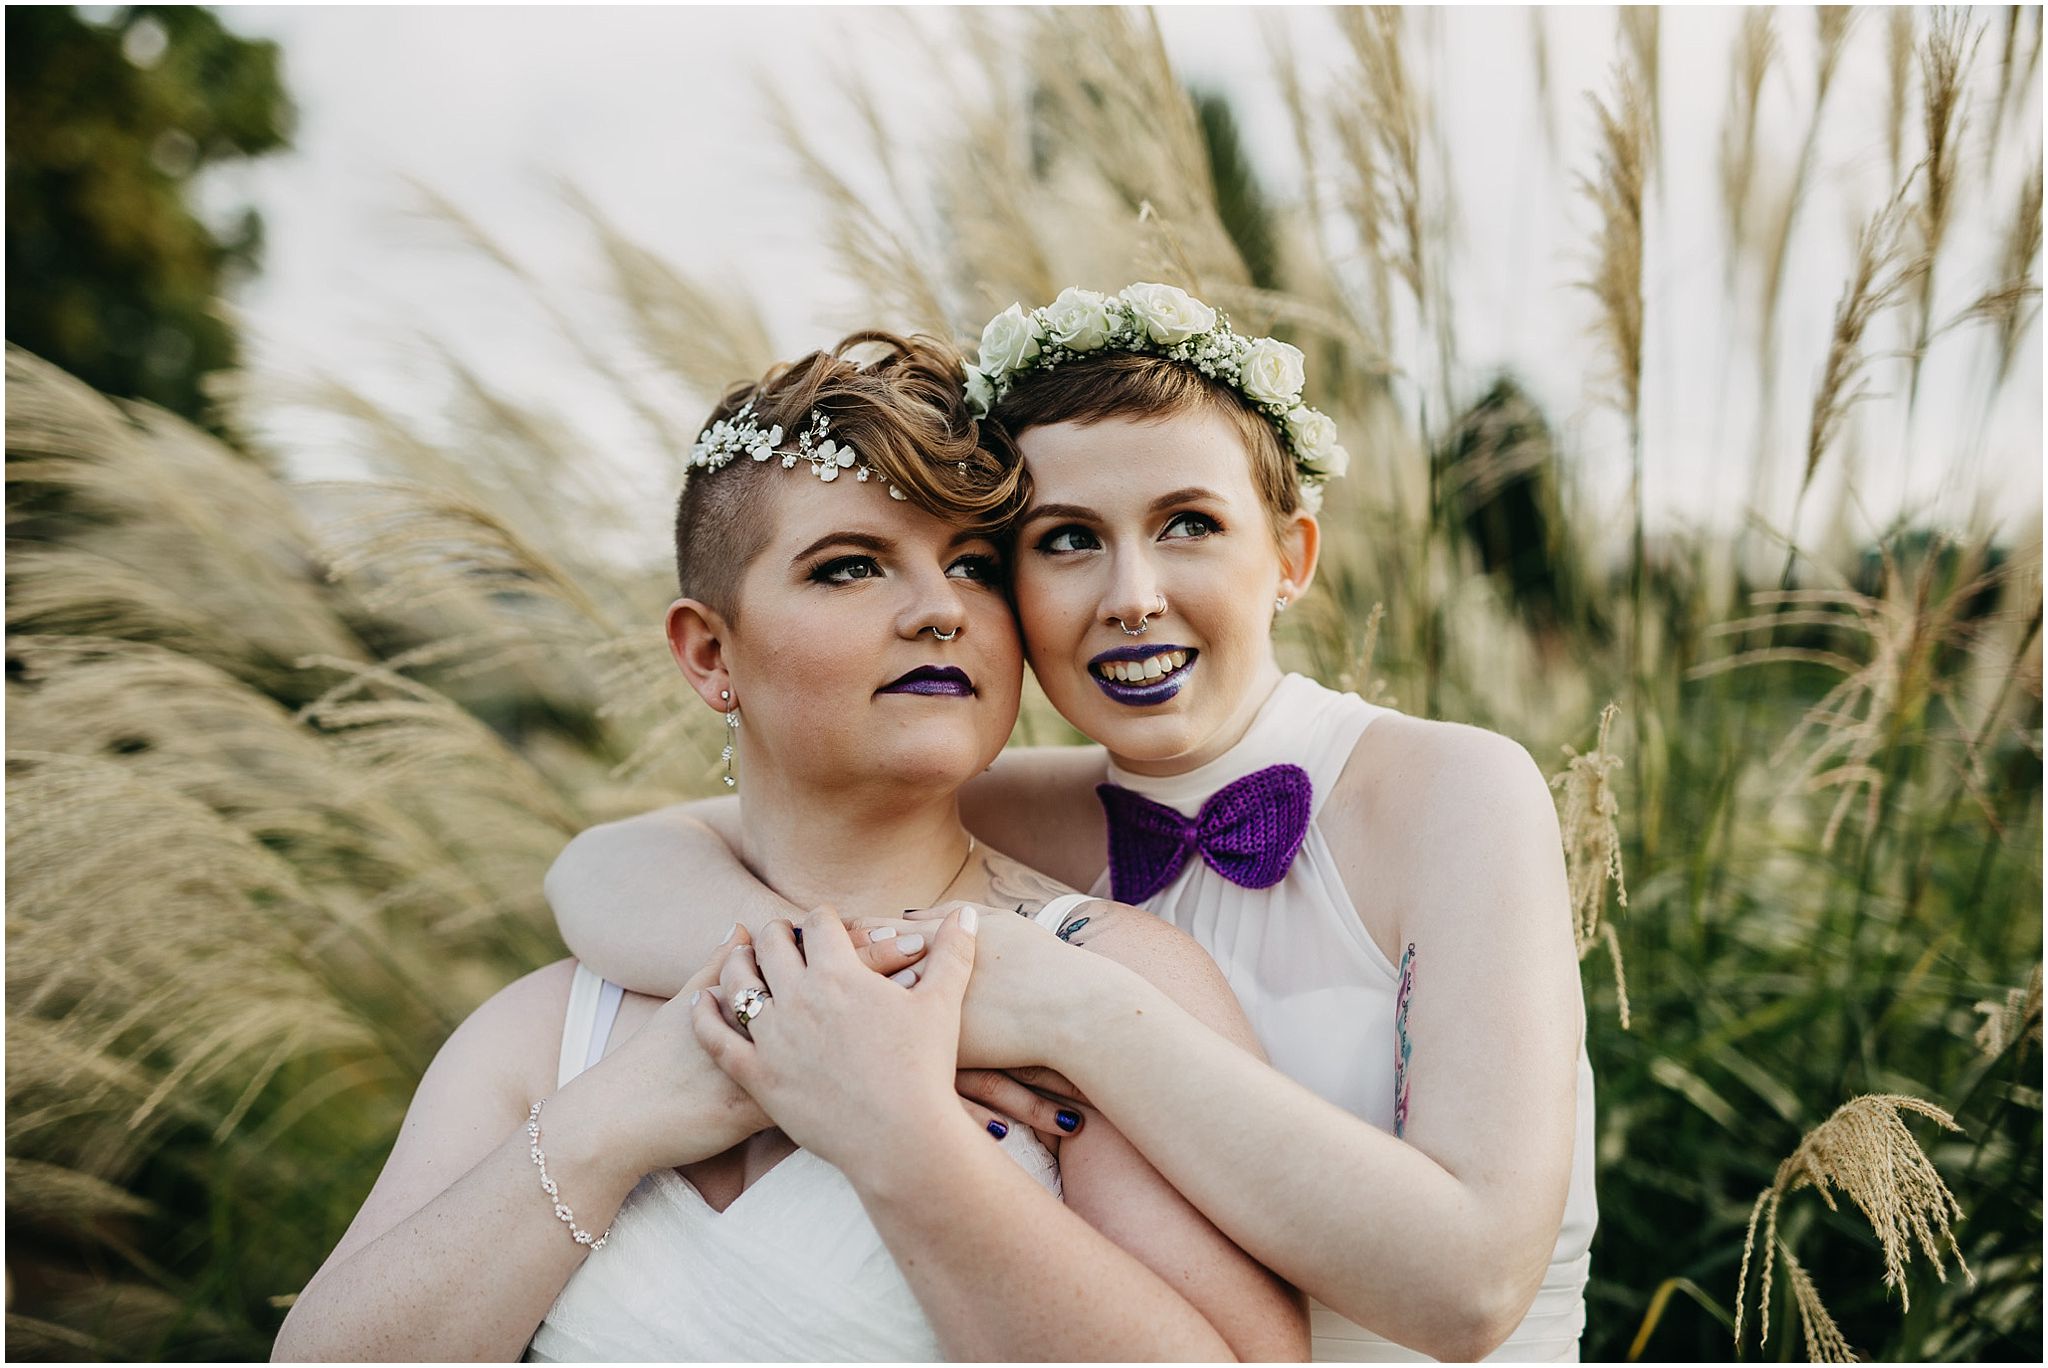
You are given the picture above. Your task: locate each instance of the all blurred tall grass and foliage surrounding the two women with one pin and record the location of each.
(288, 759)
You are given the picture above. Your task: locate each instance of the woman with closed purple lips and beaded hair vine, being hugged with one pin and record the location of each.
(593, 1174)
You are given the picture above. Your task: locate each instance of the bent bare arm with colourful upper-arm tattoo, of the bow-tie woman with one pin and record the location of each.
(1437, 1240)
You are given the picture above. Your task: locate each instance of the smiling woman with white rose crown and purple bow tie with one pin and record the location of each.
(1383, 894)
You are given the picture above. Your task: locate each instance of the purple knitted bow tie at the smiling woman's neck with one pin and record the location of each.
(1248, 832)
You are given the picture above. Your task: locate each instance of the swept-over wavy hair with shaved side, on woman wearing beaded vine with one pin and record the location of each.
(904, 413)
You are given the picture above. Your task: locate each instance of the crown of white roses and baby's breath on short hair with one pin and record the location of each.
(1162, 320)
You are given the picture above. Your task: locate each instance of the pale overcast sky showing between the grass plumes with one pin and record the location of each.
(652, 112)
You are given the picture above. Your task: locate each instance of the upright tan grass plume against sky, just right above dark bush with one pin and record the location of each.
(1617, 194)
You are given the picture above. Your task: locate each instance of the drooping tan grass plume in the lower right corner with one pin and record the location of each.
(1867, 1152)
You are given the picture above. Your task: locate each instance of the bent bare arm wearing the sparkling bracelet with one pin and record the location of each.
(458, 1252)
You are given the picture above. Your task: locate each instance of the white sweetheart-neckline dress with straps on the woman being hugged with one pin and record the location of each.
(794, 1271)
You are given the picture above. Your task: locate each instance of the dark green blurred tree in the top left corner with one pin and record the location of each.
(112, 273)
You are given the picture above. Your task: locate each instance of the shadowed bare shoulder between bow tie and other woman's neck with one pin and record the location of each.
(1039, 802)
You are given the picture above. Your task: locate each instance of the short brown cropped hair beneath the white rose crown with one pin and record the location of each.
(1148, 388)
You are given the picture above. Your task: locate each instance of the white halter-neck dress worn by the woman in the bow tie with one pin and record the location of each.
(1322, 994)
